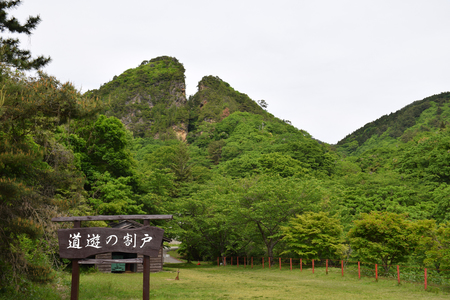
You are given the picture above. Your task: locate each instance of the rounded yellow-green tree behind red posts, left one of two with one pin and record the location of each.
(313, 236)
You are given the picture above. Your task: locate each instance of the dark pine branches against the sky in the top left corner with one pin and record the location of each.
(10, 53)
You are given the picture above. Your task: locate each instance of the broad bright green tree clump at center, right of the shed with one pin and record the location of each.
(243, 216)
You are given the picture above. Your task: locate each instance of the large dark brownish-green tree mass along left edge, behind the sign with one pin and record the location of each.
(38, 177)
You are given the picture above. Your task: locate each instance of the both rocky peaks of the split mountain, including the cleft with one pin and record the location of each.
(151, 100)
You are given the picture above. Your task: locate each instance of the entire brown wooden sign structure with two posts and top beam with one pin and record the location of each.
(145, 234)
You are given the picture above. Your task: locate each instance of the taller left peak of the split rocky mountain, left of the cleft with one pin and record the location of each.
(150, 99)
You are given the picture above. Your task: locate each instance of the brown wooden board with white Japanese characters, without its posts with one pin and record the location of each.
(83, 242)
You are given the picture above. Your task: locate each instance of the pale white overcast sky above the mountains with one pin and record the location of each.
(328, 66)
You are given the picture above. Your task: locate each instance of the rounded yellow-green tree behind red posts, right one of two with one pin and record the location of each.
(382, 238)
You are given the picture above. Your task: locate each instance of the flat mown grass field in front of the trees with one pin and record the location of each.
(212, 282)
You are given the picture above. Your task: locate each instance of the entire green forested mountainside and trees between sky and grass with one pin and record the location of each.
(237, 180)
